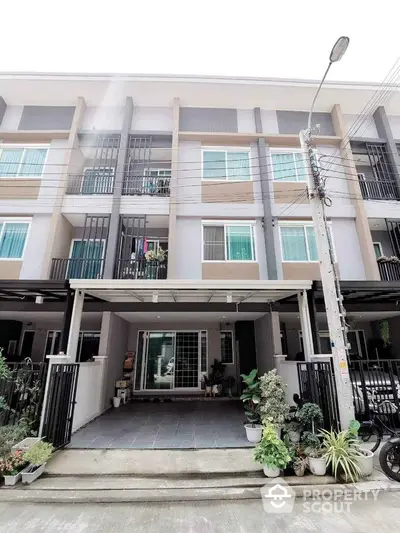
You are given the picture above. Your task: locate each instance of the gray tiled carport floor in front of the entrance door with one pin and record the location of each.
(177, 424)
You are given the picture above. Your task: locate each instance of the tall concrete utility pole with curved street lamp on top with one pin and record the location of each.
(335, 312)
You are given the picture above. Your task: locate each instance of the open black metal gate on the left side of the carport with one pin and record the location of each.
(60, 404)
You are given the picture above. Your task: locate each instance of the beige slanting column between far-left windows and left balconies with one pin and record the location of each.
(56, 219)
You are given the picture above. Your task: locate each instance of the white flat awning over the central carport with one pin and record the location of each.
(186, 291)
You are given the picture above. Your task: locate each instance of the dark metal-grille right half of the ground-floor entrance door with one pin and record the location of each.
(187, 359)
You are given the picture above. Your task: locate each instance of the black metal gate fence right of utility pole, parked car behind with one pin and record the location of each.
(375, 385)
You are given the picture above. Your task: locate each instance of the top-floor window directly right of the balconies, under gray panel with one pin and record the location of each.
(231, 165)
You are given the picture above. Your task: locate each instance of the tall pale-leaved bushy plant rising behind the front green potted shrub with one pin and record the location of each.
(273, 407)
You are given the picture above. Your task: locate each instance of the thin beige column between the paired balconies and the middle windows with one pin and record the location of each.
(172, 250)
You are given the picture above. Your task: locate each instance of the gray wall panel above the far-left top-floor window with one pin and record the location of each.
(35, 117)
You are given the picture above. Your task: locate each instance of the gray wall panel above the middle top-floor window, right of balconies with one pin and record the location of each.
(208, 119)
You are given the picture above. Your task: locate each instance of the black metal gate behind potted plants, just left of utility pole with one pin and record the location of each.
(317, 385)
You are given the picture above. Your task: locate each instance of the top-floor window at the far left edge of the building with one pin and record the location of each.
(19, 161)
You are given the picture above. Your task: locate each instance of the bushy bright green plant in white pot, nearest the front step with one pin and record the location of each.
(271, 453)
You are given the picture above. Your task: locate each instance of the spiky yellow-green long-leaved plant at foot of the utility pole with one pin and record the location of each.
(342, 454)
